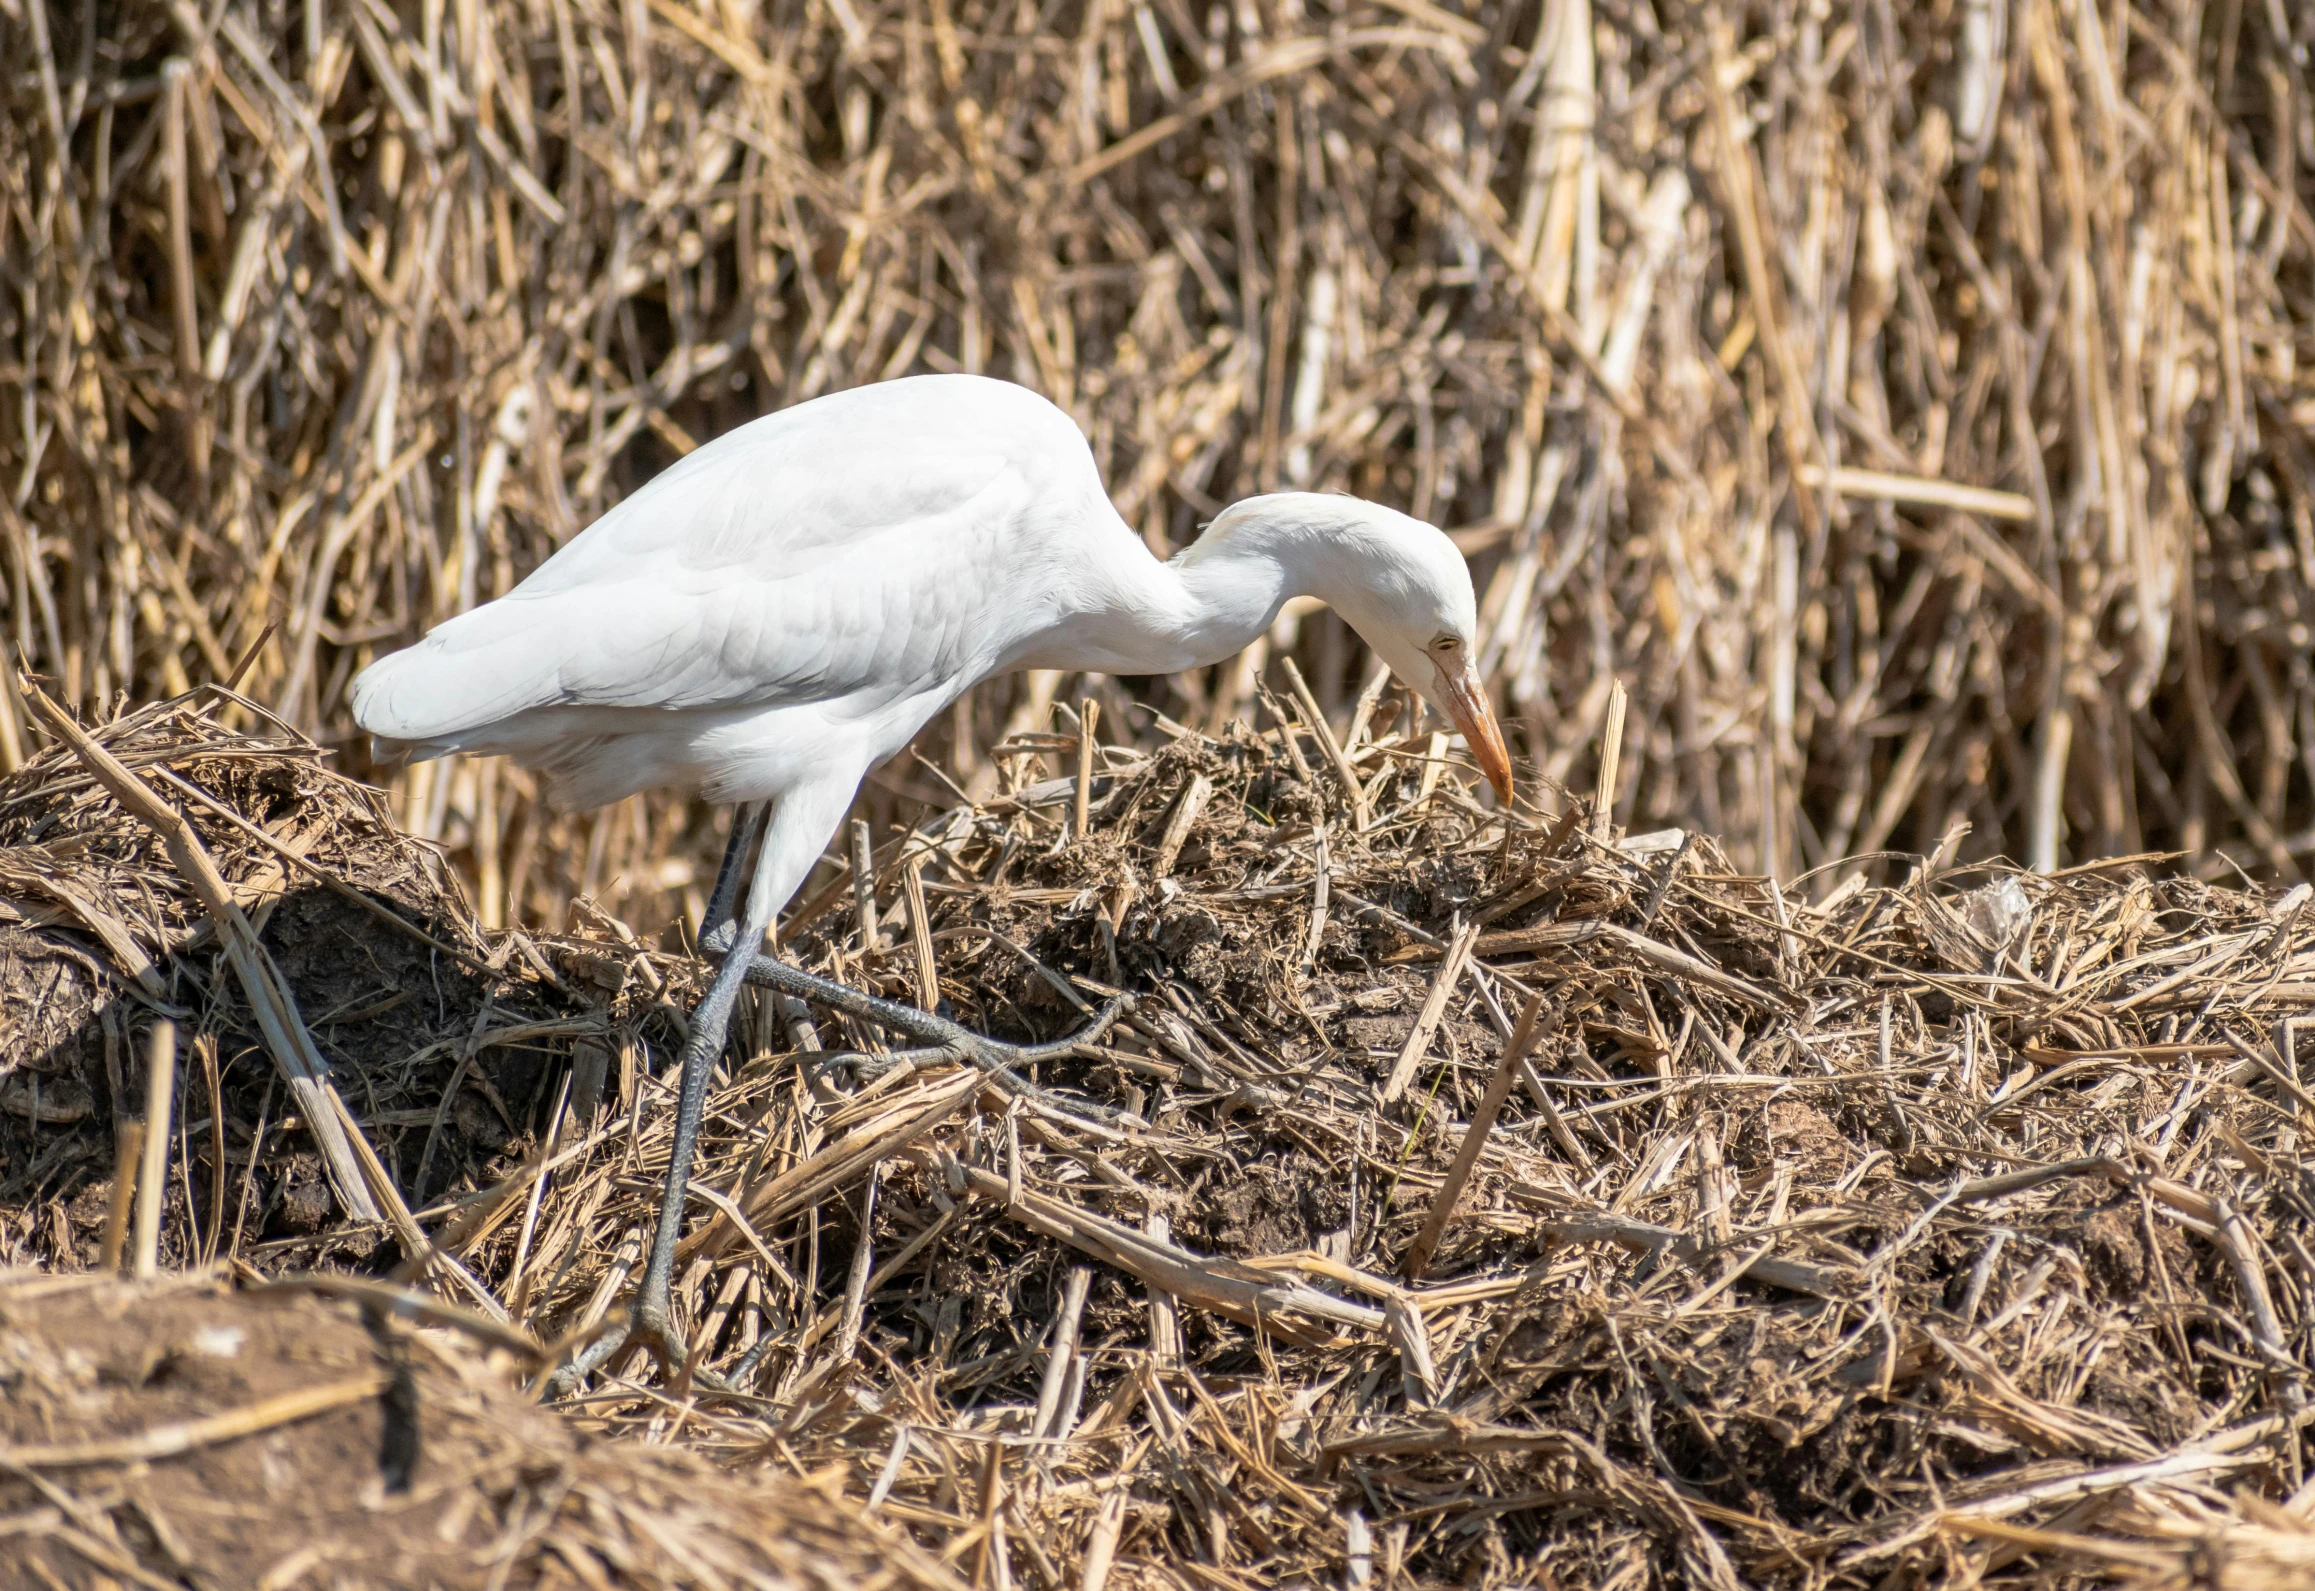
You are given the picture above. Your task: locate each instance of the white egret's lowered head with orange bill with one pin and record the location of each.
(1404, 587)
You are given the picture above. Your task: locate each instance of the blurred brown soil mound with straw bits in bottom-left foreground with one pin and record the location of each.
(154, 1435)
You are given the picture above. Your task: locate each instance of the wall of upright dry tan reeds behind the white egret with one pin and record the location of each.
(339, 318)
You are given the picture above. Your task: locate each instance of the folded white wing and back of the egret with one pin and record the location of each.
(865, 545)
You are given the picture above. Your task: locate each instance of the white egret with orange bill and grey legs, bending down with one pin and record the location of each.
(793, 603)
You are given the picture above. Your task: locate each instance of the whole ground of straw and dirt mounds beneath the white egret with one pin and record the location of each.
(1467, 1198)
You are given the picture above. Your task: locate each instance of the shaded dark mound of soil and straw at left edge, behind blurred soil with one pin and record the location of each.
(360, 932)
